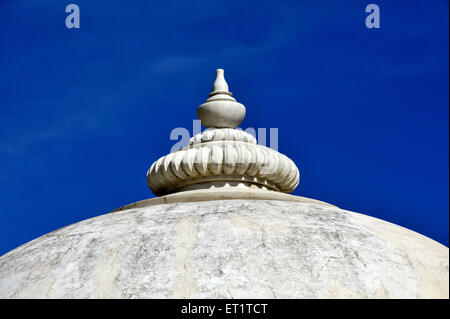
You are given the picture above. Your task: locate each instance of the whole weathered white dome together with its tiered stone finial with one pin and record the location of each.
(225, 226)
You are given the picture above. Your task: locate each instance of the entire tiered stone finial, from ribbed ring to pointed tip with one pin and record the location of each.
(222, 156)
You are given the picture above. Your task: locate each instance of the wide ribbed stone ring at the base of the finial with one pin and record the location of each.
(223, 163)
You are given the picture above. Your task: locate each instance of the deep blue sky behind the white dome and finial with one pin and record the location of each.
(84, 112)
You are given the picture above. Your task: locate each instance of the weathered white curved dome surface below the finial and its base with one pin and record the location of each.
(228, 249)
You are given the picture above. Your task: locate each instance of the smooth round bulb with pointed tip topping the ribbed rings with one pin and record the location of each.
(221, 110)
